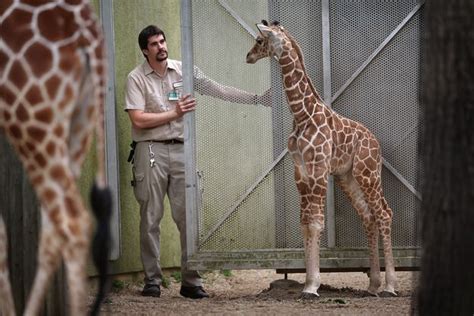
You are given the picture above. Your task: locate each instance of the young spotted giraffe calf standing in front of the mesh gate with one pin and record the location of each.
(325, 143)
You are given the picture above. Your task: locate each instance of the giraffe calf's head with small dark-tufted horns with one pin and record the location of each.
(270, 42)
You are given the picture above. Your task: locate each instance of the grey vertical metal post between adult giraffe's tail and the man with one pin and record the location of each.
(111, 154)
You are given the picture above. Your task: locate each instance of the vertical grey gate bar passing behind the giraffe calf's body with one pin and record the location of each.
(330, 205)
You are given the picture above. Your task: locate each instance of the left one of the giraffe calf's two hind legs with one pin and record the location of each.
(353, 191)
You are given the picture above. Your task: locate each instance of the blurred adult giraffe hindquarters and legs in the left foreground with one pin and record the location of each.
(52, 79)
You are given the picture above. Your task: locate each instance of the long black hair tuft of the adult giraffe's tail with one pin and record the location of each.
(101, 202)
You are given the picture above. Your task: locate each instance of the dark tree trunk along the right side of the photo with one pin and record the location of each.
(447, 159)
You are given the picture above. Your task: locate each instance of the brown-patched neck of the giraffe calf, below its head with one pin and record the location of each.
(302, 98)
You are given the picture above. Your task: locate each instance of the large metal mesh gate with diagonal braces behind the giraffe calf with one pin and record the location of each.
(242, 203)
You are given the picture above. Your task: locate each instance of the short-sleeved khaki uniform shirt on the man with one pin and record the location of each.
(148, 91)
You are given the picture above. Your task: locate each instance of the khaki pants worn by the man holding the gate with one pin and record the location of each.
(166, 177)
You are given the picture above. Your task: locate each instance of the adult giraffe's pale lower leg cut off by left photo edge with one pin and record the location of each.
(7, 307)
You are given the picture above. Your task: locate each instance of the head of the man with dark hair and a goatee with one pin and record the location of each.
(152, 42)
